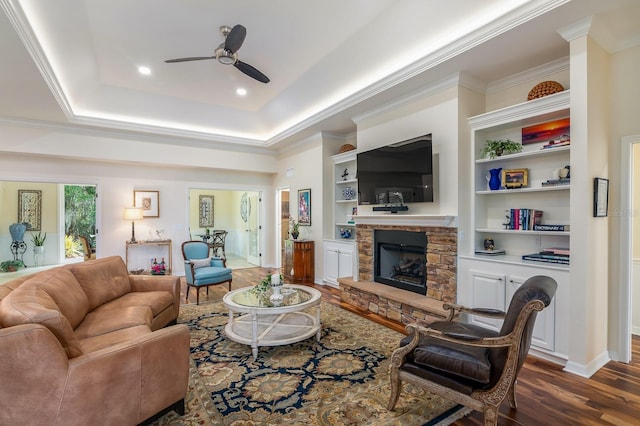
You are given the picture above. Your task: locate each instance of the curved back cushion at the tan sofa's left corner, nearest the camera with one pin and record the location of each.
(52, 298)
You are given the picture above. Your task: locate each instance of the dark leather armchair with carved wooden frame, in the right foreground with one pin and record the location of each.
(468, 364)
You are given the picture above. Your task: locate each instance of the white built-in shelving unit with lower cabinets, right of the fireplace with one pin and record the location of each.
(489, 281)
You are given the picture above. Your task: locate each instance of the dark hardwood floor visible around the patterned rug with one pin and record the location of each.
(546, 395)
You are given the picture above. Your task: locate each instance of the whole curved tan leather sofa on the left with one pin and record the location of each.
(88, 344)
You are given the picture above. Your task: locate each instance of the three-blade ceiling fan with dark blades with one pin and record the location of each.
(227, 52)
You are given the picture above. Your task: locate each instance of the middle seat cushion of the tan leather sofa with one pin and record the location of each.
(103, 321)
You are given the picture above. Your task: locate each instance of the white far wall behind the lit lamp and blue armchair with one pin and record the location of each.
(116, 183)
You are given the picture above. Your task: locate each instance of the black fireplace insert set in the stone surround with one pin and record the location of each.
(400, 260)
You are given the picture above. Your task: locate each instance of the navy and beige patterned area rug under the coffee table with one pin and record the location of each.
(341, 380)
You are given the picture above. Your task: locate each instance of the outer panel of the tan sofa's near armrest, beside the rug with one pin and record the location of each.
(139, 377)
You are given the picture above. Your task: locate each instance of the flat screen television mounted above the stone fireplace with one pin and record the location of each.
(396, 174)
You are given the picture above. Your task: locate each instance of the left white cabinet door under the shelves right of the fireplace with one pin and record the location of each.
(487, 291)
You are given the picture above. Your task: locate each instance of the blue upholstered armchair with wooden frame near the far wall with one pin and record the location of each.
(201, 270)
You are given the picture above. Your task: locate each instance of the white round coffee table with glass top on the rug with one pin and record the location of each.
(265, 324)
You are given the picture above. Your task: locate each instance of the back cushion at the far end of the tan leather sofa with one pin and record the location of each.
(103, 280)
